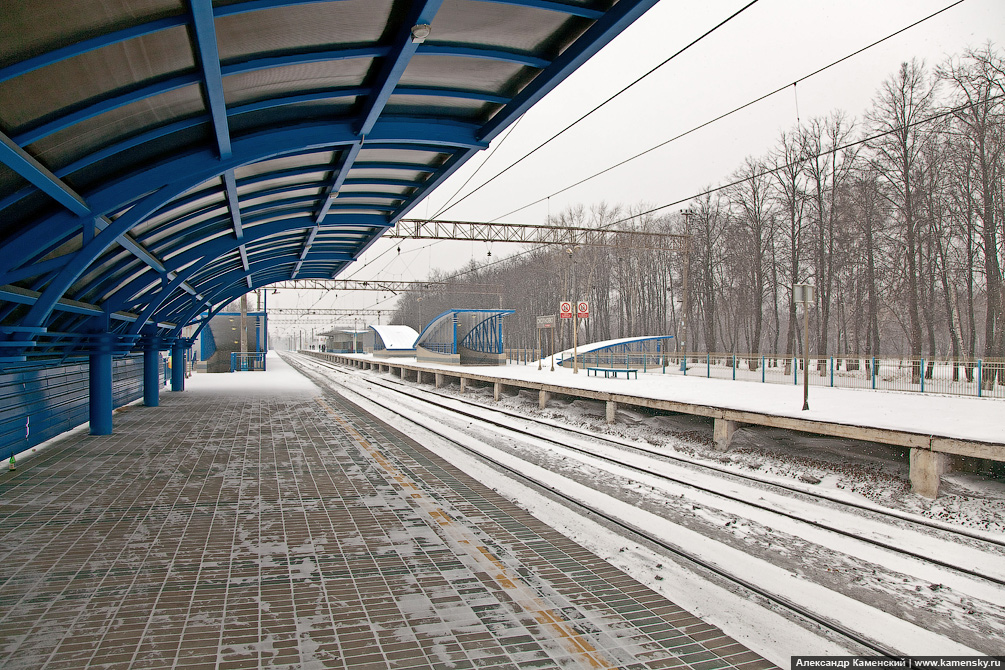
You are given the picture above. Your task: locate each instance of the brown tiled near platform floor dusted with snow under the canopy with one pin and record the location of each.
(254, 525)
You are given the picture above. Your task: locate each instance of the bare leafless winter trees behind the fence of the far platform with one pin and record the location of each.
(895, 216)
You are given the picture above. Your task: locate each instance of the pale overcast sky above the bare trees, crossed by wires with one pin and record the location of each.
(770, 46)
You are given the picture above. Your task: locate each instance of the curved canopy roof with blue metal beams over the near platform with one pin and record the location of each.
(160, 158)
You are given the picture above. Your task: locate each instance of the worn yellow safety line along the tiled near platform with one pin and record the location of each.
(521, 592)
